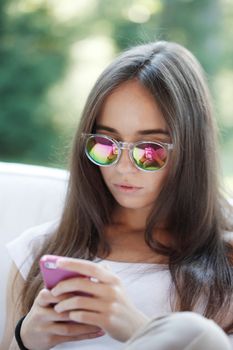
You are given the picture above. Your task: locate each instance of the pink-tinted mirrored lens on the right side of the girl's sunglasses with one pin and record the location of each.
(150, 156)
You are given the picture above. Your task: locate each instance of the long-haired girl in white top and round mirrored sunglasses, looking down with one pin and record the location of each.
(144, 217)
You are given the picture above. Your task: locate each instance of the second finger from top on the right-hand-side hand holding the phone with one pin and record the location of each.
(86, 286)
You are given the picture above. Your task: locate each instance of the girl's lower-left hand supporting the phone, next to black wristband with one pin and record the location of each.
(44, 328)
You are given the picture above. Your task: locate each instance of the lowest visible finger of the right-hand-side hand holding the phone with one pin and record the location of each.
(81, 303)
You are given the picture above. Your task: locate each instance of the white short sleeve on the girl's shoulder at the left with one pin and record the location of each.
(22, 249)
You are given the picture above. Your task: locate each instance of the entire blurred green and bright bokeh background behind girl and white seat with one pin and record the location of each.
(52, 51)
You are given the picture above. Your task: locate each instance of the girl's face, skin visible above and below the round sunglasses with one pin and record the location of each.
(131, 114)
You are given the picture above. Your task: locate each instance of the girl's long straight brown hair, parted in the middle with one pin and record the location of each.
(200, 260)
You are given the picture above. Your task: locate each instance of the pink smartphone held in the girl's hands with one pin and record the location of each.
(52, 274)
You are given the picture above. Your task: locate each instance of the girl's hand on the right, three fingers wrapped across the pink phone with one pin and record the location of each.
(108, 307)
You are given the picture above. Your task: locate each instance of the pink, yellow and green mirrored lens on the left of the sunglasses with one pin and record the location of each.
(102, 150)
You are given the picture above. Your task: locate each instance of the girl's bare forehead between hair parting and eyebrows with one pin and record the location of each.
(131, 108)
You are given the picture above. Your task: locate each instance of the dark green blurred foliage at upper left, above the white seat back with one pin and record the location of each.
(33, 55)
